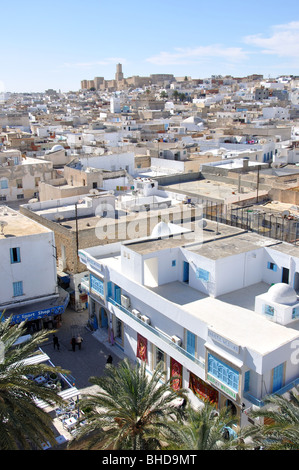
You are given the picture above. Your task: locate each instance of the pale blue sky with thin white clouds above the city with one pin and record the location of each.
(56, 44)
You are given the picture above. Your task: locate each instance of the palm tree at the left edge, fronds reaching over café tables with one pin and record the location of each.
(23, 425)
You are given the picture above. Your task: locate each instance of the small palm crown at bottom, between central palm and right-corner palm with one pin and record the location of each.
(204, 428)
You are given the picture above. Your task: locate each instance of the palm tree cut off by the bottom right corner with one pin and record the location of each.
(282, 432)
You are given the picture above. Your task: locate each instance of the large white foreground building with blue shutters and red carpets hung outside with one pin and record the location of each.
(191, 305)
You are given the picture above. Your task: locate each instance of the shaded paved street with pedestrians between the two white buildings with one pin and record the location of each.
(91, 359)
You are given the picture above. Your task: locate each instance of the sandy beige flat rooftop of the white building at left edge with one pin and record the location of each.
(18, 225)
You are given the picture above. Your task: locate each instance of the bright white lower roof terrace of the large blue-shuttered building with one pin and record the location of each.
(238, 324)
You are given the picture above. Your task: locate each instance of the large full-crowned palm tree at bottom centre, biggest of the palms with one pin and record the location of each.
(130, 410)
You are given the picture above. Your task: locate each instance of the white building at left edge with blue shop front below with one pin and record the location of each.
(28, 288)
